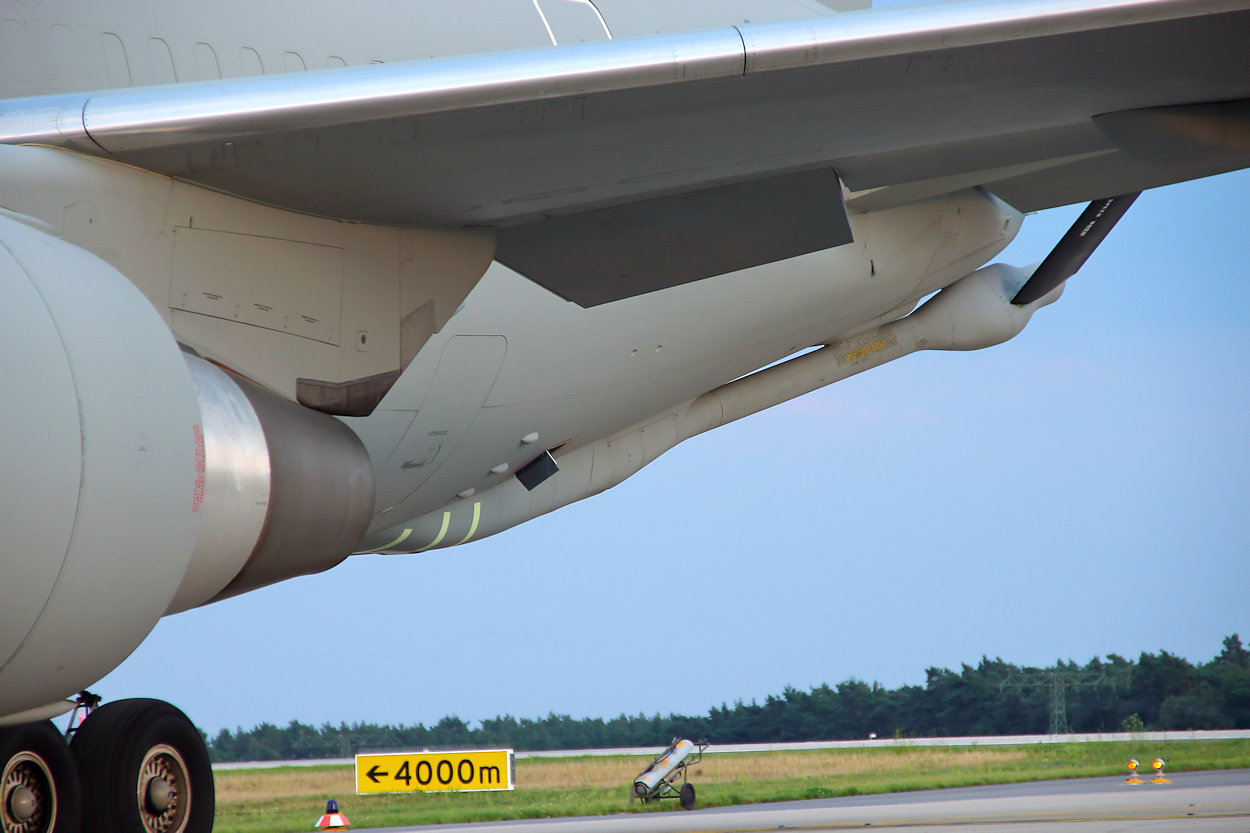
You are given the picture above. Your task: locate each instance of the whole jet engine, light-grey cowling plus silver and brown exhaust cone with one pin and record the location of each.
(137, 481)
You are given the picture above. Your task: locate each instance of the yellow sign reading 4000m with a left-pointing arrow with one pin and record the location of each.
(436, 772)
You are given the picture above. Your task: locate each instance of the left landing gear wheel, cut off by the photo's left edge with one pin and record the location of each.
(39, 787)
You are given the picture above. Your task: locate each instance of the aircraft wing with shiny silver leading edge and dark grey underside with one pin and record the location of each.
(623, 167)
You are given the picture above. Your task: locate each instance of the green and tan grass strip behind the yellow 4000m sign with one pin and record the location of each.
(292, 799)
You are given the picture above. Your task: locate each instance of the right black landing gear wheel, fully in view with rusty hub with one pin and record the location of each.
(144, 770)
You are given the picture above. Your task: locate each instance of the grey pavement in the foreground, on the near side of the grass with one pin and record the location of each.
(1212, 802)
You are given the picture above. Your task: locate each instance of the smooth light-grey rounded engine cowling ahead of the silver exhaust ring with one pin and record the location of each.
(98, 468)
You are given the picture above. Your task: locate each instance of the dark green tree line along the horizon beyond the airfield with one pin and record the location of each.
(1154, 692)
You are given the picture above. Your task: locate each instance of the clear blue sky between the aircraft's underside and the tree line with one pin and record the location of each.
(1082, 490)
